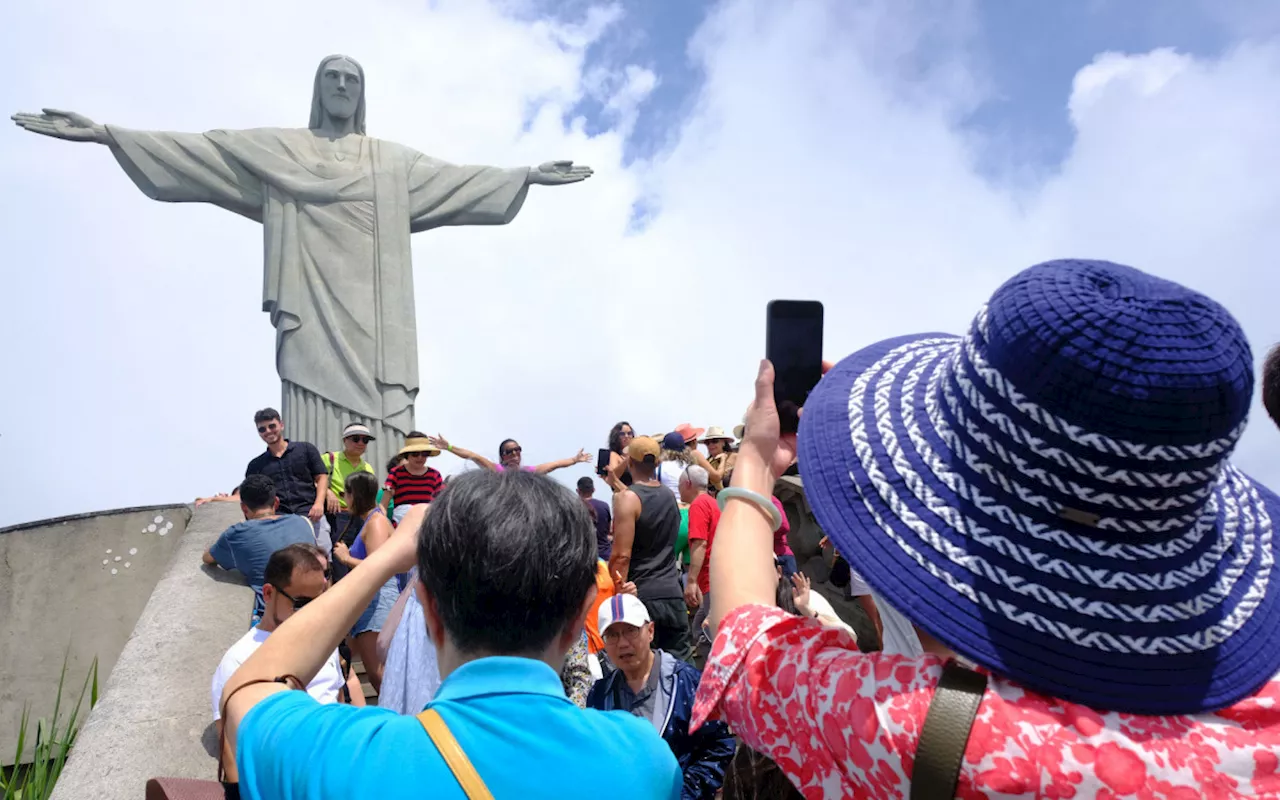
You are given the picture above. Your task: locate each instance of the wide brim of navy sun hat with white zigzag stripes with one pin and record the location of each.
(1095, 619)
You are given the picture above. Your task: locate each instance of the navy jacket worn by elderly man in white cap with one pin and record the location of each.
(703, 756)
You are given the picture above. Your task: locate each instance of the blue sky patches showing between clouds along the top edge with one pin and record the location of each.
(1027, 53)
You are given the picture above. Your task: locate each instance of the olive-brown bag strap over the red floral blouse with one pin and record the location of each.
(947, 733)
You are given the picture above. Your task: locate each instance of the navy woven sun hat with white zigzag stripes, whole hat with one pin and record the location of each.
(1050, 495)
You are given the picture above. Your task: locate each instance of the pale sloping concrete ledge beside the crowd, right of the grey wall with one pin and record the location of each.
(156, 716)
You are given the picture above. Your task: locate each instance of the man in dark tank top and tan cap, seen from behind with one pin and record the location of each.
(646, 527)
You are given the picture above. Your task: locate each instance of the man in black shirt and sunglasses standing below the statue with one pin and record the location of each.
(295, 468)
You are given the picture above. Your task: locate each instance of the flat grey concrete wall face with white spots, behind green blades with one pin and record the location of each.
(74, 588)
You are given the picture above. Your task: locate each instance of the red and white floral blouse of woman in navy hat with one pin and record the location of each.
(843, 724)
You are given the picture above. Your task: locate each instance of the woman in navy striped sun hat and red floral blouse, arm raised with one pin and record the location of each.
(1049, 501)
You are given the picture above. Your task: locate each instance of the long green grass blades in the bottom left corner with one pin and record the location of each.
(53, 743)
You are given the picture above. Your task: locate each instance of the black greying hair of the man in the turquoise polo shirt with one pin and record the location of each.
(510, 559)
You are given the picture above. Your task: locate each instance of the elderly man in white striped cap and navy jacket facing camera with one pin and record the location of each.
(660, 688)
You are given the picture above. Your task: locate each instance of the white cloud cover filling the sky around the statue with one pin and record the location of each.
(822, 161)
